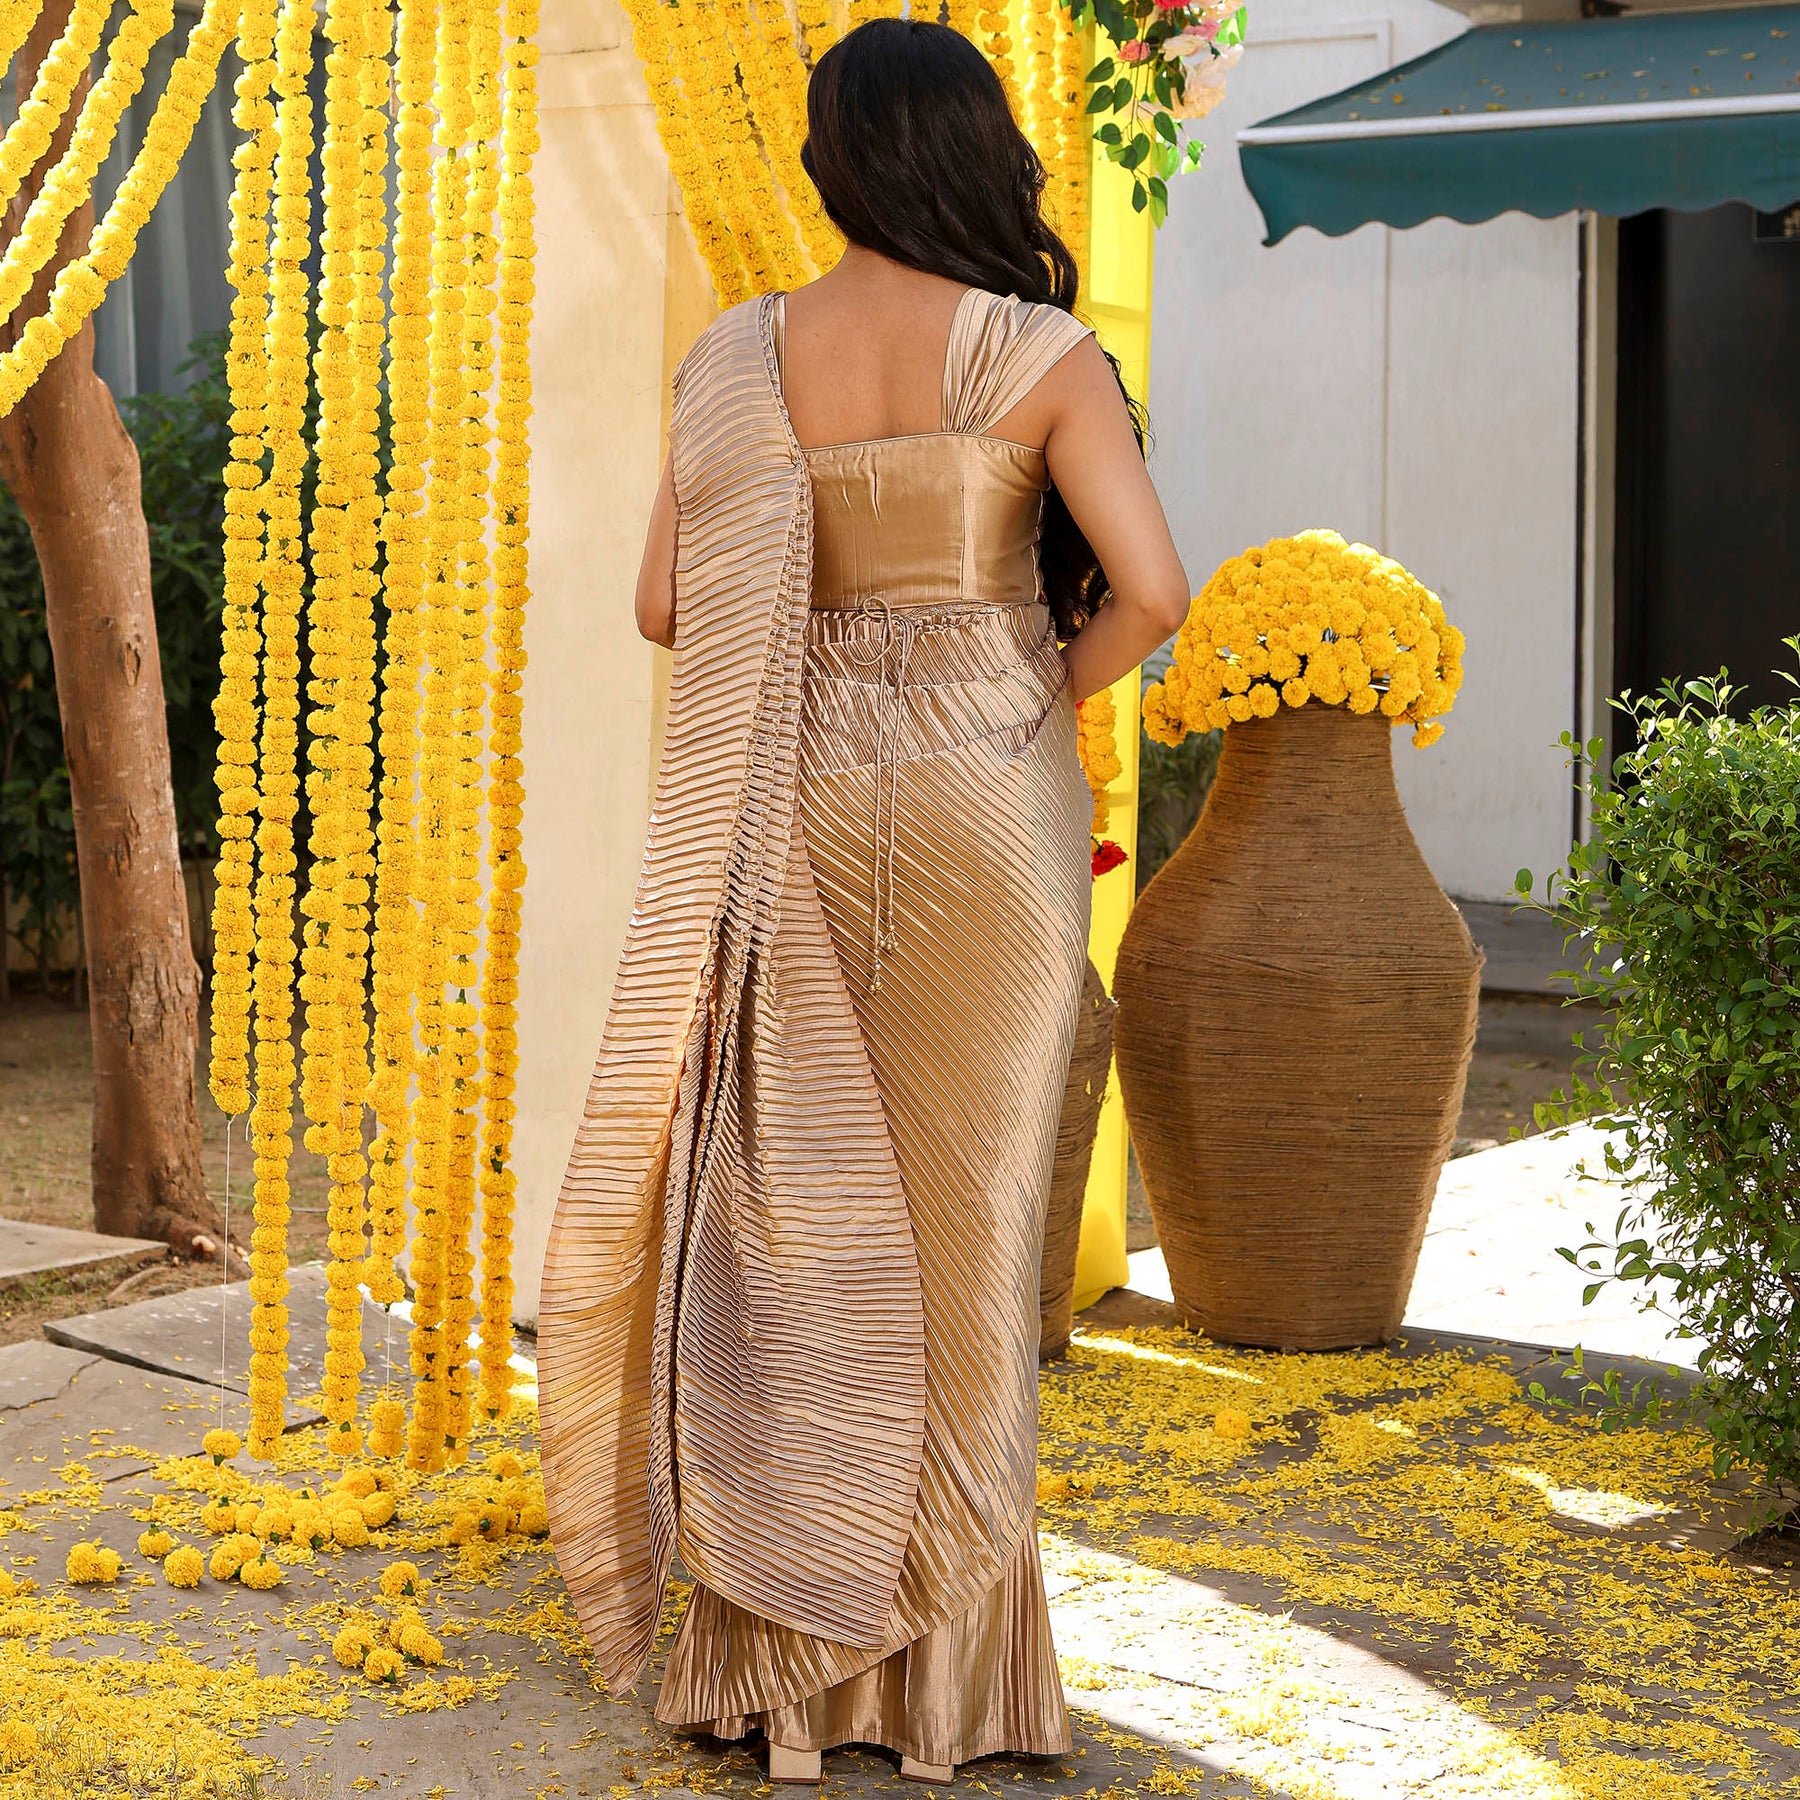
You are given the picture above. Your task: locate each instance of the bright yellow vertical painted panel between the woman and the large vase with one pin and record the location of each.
(1119, 303)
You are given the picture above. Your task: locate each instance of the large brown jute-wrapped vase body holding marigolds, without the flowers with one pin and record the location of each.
(1297, 1012)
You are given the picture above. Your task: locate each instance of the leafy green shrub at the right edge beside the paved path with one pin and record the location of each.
(1687, 908)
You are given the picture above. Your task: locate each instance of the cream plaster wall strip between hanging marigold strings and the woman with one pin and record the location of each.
(598, 379)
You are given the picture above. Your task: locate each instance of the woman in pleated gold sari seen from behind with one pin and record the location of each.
(789, 1315)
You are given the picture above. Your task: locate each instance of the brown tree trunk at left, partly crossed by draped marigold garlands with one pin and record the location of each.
(73, 471)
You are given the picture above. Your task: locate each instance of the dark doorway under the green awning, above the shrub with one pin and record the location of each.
(1709, 451)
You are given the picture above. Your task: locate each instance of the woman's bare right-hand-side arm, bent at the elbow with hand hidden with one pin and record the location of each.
(1099, 471)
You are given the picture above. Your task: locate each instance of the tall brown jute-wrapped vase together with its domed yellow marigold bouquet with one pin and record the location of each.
(1297, 996)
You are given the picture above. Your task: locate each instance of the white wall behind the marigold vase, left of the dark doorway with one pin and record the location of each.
(1412, 390)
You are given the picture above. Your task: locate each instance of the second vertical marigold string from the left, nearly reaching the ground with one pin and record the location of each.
(273, 1117)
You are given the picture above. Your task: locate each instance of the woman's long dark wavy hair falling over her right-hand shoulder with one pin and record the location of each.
(917, 157)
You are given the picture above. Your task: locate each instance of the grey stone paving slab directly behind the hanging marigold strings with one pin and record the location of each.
(206, 1331)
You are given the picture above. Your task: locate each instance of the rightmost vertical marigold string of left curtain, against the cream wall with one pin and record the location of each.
(512, 507)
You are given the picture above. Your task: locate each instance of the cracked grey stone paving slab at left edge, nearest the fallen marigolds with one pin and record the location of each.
(67, 1407)
